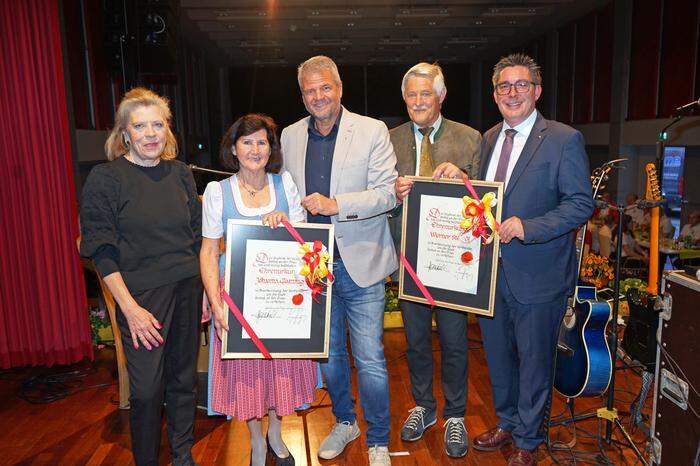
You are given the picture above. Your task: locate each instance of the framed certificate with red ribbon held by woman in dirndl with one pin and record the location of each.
(263, 278)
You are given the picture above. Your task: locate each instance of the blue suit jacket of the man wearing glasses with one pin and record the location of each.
(550, 191)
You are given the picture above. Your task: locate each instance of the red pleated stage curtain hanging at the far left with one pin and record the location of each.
(43, 308)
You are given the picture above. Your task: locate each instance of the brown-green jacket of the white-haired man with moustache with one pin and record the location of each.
(454, 142)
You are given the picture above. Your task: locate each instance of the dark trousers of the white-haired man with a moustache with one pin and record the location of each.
(452, 330)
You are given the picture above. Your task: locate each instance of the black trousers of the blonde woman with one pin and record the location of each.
(167, 373)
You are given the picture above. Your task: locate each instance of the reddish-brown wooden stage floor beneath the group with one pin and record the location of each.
(87, 427)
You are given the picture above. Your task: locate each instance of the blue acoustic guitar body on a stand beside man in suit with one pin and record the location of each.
(584, 362)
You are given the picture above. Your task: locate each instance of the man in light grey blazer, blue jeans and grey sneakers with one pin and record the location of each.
(345, 169)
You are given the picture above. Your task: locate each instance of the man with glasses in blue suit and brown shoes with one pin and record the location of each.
(547, 195)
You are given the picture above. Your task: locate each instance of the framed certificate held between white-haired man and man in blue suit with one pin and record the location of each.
(458, 269)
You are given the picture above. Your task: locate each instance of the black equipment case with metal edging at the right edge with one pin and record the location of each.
(675, 435)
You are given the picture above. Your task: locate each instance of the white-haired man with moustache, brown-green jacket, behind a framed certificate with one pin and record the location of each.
(447, 148)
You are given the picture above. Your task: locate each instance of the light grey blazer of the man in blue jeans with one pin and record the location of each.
(362, 182)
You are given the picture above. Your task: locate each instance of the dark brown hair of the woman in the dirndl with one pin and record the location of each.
(245, 126)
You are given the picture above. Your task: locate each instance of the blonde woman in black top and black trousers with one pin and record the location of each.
(141, 225)
